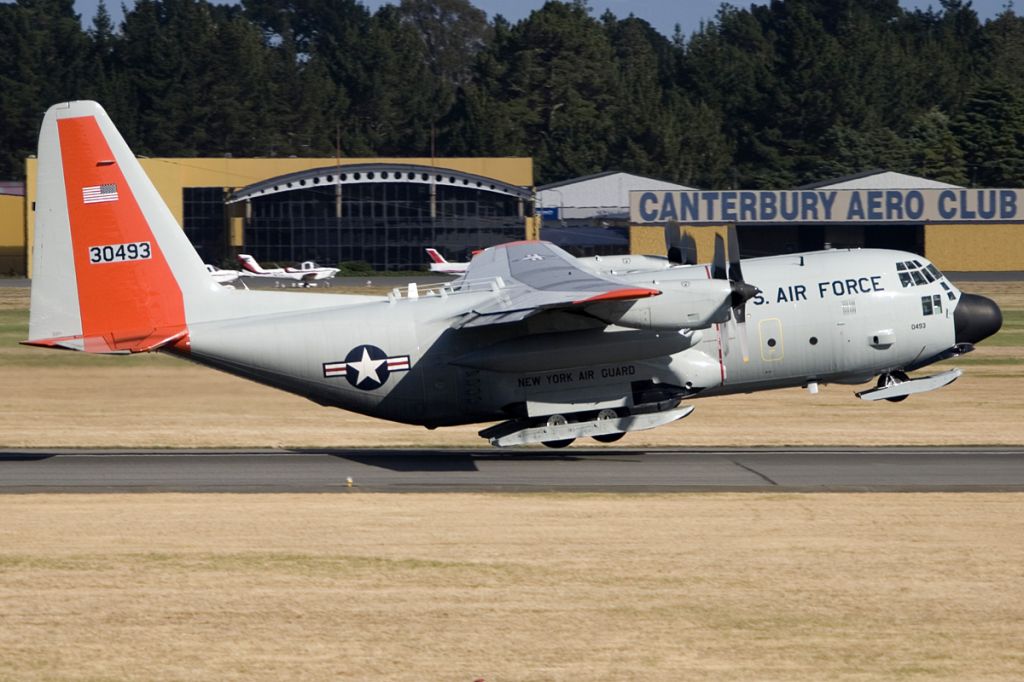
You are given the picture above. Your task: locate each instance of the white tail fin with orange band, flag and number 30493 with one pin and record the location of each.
(113, 272)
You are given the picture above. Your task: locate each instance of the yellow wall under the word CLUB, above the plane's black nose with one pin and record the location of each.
(984, 247)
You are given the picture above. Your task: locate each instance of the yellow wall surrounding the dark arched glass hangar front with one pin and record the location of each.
(172, 176)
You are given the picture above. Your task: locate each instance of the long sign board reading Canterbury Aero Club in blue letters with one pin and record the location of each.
(803, 206)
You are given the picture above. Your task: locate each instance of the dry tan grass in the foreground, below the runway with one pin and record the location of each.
(513, 587)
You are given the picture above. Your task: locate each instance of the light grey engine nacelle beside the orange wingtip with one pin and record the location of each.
(684, 305)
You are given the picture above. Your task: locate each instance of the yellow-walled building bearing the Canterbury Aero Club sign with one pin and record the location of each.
(960, 230)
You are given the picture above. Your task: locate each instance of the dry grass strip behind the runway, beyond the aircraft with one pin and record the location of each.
(55, 399)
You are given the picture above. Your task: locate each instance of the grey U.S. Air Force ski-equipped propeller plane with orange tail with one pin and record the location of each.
(553, 348)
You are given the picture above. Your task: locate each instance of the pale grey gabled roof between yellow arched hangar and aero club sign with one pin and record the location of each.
(603, 194)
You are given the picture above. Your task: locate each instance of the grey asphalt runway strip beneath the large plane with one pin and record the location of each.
(763, 470)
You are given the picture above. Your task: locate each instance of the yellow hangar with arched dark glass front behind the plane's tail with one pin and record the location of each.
(381, 211)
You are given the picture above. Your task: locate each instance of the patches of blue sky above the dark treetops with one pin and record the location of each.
(663, 15)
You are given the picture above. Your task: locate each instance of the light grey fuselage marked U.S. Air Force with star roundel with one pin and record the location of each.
(824, 317)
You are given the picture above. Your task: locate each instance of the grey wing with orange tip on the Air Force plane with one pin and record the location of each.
(539, 277)
